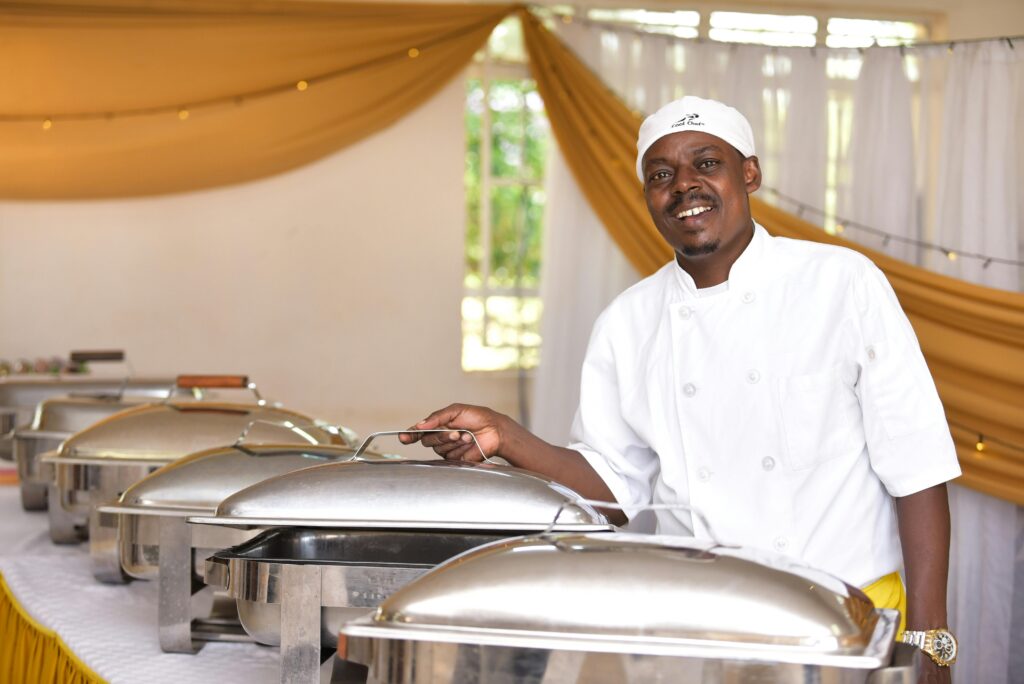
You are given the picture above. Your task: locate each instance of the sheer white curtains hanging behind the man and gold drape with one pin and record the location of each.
(887, 136)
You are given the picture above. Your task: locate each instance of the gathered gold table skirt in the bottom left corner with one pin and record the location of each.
(30, 653)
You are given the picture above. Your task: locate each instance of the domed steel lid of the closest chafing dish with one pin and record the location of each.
(638, 594)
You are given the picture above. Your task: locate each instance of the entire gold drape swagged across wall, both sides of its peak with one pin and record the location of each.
(112, 76)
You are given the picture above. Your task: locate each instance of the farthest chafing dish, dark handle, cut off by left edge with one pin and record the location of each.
(21, 395)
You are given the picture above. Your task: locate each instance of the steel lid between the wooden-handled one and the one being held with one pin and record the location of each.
(200, 482)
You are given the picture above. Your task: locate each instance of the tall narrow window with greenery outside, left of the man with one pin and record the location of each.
(507, 144)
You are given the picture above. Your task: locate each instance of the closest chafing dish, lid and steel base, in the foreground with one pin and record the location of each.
(572, 608)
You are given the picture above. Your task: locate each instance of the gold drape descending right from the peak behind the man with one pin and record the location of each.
(973, 337)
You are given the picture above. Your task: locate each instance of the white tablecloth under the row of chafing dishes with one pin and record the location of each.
(112, 629)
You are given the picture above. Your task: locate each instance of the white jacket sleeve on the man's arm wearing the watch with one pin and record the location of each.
(909, 441)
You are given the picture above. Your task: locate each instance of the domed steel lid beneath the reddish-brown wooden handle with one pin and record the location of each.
(172, 431)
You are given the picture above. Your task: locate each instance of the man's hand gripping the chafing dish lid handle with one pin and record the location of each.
(486, 424)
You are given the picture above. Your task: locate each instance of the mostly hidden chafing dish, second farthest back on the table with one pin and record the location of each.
(55, 421)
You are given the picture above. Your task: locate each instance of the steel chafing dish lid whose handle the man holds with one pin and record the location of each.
(409, 495)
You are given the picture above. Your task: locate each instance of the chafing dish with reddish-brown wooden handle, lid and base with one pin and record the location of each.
(96, 465)
